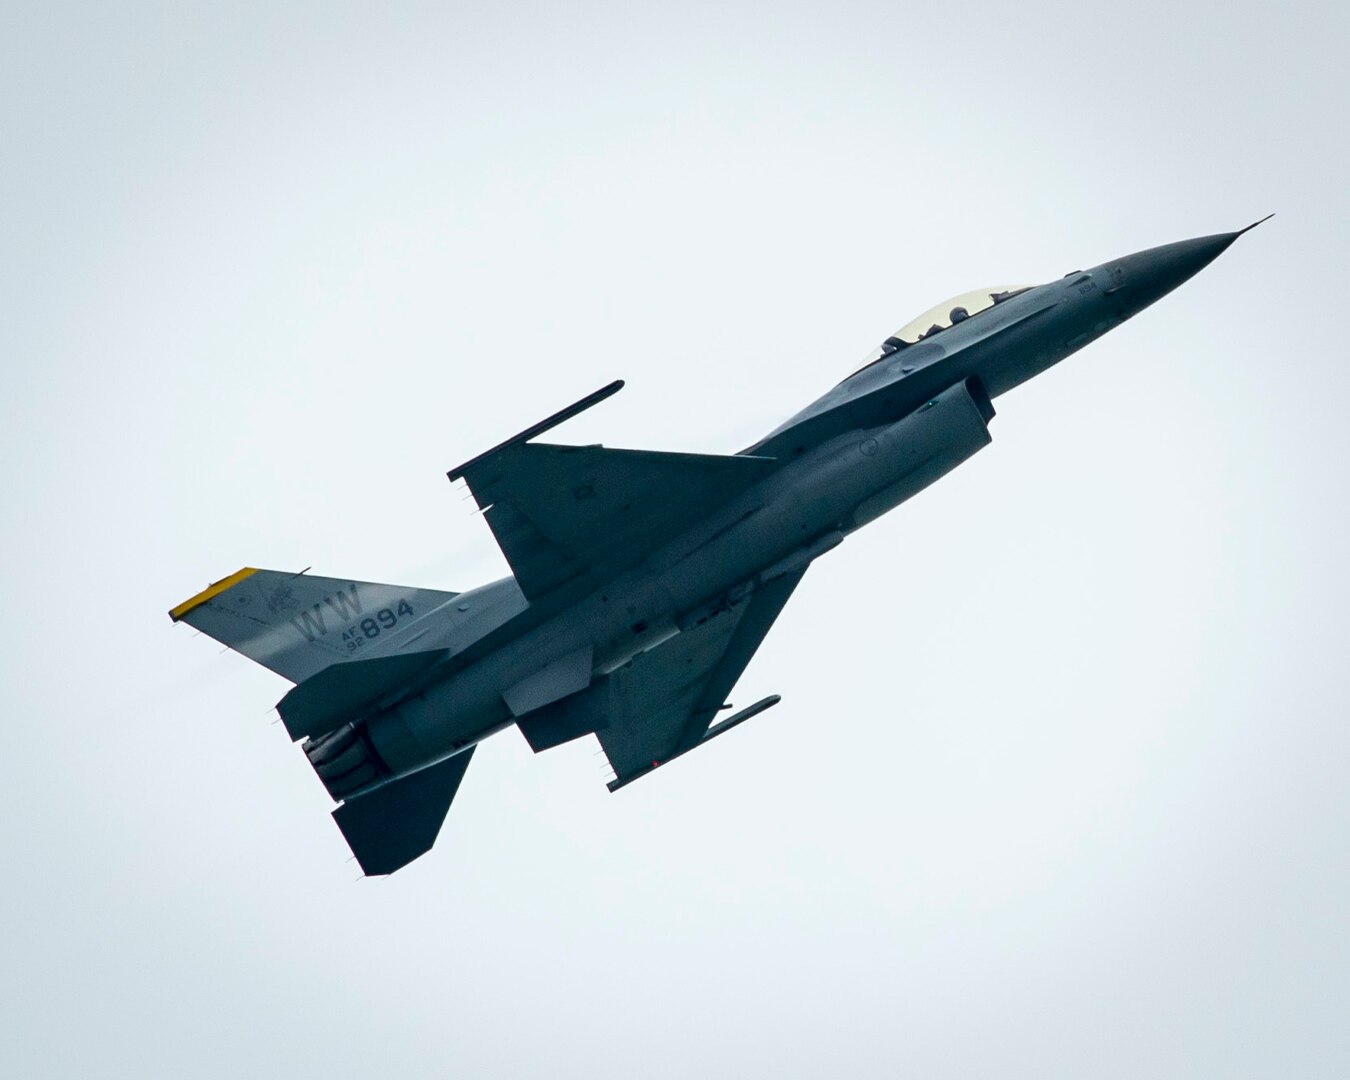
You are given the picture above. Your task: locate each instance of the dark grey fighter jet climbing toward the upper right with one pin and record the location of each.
(642, 583)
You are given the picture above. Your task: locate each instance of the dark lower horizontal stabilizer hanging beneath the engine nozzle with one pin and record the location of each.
(396, 824)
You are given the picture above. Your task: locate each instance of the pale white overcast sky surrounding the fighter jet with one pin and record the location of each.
(1058, 788)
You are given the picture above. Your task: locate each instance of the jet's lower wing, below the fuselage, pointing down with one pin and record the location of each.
(665, 701)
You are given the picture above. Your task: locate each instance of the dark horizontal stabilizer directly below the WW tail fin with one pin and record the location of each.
(349, 692)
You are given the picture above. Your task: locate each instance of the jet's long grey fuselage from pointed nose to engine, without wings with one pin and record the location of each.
(873, 442)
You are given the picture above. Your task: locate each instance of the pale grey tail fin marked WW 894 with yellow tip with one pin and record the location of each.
(299, 624)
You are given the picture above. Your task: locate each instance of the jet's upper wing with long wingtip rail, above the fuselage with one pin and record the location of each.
(564, 512)
